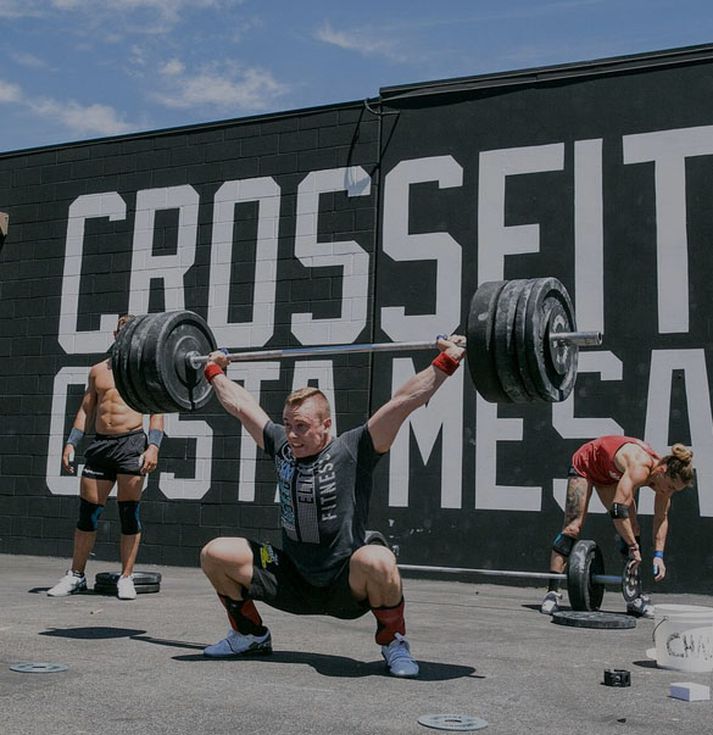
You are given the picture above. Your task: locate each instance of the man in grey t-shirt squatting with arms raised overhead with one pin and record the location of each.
(324, 566)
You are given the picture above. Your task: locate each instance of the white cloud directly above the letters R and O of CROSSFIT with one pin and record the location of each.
(242, 90)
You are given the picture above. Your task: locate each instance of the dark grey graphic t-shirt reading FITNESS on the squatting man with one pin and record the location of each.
(324, 500)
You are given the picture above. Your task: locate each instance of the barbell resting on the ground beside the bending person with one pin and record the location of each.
(585, 575)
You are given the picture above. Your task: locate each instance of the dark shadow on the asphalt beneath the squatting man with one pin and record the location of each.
(325, 664)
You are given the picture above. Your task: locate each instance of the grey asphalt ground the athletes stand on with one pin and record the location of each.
(485, 652)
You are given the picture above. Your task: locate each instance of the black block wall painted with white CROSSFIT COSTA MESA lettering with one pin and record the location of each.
(604, 180)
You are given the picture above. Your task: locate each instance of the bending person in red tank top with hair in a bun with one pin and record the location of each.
(616, 467)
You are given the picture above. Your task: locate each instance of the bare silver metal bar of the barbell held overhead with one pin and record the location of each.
(196, 361)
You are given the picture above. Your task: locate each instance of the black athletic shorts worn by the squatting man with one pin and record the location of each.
(277, 582)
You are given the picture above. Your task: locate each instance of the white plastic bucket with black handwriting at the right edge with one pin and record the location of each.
(684, 637)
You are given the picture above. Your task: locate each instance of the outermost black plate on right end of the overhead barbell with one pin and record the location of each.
(553, 368)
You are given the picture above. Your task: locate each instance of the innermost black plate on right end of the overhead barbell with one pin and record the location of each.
(480, 347)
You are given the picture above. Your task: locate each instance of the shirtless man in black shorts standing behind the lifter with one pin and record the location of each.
(121, 454)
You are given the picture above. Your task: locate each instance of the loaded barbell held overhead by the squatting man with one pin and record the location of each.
(521, 343)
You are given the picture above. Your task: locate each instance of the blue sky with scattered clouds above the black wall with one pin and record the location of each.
(82, 69)
